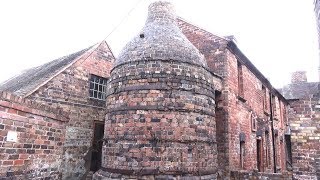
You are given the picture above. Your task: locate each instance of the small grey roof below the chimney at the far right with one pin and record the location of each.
(300, 90)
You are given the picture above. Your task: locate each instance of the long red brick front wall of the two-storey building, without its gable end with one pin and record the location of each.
(254, 101)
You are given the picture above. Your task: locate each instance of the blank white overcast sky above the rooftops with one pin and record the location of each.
(278, 36)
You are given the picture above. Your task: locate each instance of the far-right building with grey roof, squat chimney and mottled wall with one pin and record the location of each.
(304, 117)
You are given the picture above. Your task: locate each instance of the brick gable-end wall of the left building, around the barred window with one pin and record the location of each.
(70, 91)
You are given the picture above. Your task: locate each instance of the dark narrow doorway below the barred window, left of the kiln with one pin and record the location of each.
(97, 144)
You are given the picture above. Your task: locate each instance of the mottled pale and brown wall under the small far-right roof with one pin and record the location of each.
(305, 136)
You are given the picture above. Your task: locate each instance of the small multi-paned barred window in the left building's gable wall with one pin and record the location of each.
(98, 87)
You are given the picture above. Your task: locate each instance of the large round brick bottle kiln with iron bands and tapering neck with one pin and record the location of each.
(161, 106)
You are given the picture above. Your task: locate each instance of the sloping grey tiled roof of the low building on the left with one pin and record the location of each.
(30, 79)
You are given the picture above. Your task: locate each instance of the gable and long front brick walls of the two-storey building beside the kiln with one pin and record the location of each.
(234, 109)
